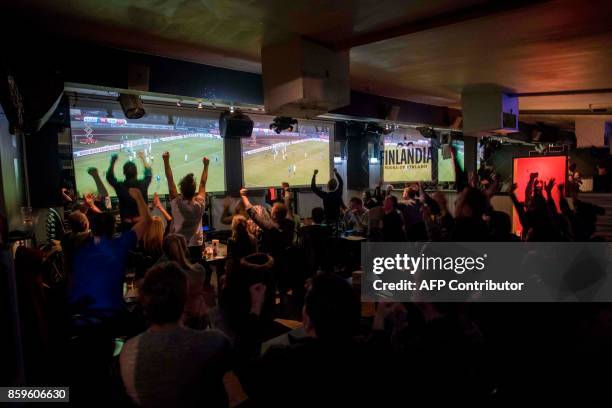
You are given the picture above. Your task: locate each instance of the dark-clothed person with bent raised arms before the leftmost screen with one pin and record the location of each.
(128, 209)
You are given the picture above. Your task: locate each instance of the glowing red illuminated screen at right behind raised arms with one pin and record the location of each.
(547, 167)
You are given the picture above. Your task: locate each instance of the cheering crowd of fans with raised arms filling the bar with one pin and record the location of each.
(186, 332)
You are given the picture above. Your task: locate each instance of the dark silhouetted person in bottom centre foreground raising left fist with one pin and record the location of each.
(327, 362)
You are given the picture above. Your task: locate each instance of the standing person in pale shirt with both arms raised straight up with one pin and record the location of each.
(188, 207)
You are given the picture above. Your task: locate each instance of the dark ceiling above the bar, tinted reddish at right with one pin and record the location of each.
(424, 51)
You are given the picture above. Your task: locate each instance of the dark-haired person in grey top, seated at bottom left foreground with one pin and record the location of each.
(170, 365)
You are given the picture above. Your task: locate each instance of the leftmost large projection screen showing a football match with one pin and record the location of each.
(98, 133)
